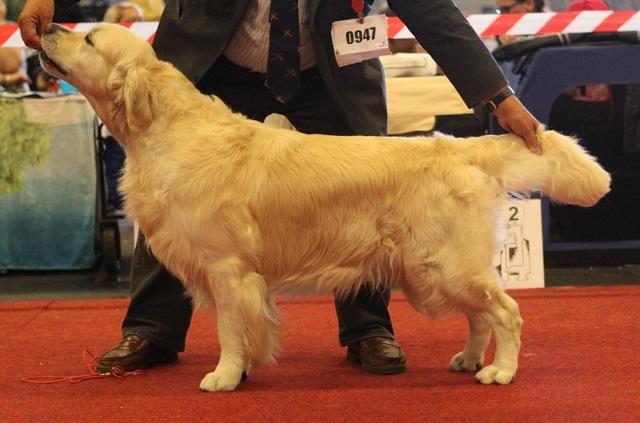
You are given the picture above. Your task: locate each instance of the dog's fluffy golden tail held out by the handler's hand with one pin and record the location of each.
(564, 171)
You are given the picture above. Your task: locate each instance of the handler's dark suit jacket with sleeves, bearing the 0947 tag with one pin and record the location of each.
(192, 34)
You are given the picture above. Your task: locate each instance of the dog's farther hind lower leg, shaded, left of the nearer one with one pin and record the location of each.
(472, 357)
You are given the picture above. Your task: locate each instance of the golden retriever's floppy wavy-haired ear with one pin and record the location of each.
(129, 85)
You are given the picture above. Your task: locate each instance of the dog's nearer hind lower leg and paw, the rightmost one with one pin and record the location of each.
(503, 316)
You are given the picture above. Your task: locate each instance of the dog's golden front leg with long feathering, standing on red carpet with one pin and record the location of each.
(247, 326)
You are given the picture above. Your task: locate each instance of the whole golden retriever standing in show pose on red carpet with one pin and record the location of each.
(240, 211)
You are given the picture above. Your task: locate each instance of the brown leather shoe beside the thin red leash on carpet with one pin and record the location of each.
(133, 353)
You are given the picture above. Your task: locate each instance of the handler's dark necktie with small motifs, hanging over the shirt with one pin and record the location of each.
(283, 67)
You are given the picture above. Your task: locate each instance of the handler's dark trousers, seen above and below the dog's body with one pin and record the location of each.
(160, 309)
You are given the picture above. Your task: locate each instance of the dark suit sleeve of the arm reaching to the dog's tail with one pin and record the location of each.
(441, 28)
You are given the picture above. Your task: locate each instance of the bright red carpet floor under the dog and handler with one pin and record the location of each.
(579, 363)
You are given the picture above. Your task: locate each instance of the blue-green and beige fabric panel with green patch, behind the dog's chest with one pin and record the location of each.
(48, 183)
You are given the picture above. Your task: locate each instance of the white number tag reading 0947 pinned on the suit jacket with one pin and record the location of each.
(355, 41)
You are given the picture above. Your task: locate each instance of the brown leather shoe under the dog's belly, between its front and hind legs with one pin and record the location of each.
(378, 355)
